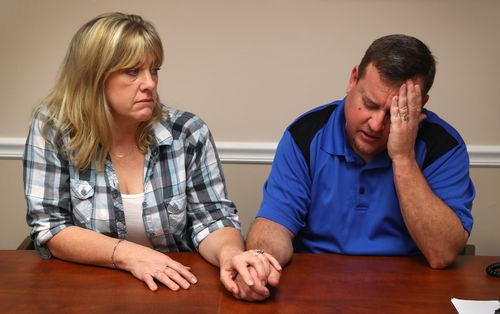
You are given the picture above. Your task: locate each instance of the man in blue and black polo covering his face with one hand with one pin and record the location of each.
(372, 174)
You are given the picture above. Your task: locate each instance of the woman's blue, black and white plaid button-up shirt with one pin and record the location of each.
(185, 197)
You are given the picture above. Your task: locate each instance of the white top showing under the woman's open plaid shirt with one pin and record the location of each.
(132, 206)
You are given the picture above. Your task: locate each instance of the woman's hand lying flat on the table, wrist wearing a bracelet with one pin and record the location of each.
(152, 266)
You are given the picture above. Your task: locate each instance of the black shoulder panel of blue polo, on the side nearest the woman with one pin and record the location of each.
(305, 128)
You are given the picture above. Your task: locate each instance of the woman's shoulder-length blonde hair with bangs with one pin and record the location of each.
(77, 105)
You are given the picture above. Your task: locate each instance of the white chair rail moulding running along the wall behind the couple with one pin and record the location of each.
(263, 152)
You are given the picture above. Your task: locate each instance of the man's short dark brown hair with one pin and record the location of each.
(399, 58)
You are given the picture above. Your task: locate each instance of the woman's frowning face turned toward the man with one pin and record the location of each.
(131, 92)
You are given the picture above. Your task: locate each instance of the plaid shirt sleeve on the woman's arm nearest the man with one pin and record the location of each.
(209, 208)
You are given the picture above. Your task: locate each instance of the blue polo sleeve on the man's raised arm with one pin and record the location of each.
(449, 179)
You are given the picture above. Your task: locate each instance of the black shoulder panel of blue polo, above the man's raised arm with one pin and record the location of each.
(437, 141)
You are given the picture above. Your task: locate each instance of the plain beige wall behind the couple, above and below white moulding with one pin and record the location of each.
(250, 67)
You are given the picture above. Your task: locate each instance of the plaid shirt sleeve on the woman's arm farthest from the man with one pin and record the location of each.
(46, 186)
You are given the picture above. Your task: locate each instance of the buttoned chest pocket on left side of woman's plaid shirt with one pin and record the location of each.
(82, 195)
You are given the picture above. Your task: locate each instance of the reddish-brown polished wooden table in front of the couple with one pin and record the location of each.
(312, 283)
